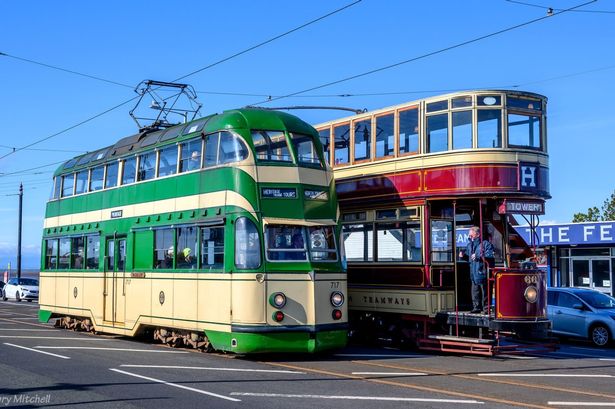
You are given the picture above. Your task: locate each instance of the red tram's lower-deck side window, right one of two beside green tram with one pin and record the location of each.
(398, 241)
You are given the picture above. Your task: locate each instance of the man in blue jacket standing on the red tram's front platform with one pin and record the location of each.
(475, 253)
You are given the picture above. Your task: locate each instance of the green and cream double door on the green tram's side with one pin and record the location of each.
(115, 280)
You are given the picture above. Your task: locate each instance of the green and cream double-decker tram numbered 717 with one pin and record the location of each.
(219, 233)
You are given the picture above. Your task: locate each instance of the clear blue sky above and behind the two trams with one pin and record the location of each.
(570, 58)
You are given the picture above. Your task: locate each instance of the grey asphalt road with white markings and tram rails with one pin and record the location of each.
(41, 366)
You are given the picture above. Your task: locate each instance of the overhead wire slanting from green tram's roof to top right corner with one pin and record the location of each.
(423, 56)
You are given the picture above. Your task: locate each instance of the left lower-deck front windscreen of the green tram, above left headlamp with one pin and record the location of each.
(285, 243)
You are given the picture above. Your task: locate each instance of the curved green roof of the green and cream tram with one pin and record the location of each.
(241, 118)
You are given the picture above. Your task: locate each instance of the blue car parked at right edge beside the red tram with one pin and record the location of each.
(582, 313)
